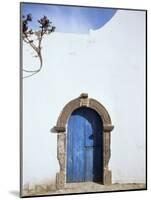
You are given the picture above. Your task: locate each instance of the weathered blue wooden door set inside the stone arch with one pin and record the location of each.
(84, 146)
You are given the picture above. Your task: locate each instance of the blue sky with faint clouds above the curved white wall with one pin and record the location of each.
(69, 19)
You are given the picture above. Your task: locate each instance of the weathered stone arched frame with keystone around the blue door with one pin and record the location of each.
(60, 129)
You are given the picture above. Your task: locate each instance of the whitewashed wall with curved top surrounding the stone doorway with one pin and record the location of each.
(109, 65)
